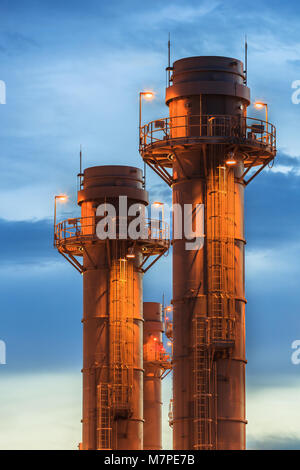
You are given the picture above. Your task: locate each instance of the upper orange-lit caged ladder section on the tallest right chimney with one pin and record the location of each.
(220, 251)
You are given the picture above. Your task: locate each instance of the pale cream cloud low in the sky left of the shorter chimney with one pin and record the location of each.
(40, 411)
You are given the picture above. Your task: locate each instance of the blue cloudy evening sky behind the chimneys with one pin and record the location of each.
(73, 71)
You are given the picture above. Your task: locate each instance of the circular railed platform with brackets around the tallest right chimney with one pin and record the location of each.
(254, 138)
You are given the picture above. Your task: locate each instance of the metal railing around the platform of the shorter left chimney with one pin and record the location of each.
(86, 227)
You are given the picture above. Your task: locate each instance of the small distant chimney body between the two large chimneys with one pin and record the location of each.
(153, 329)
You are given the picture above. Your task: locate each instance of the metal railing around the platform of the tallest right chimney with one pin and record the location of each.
(208, 126)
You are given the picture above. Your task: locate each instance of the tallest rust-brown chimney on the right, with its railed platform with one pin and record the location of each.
(214, 150)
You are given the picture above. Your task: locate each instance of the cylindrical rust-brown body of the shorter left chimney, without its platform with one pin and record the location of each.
(112, 320)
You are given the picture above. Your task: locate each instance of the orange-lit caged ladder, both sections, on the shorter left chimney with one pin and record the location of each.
(115, 398)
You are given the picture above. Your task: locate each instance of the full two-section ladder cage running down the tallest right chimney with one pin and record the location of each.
(216, 331)
